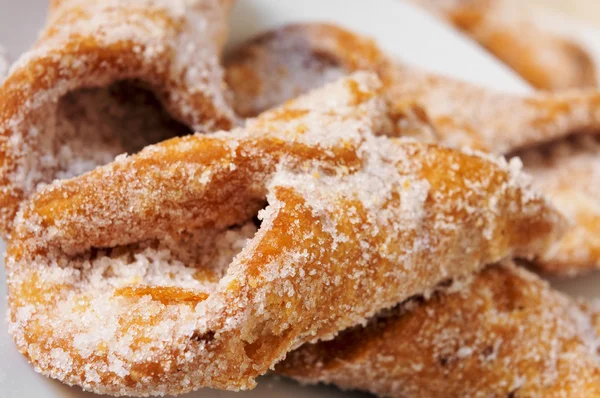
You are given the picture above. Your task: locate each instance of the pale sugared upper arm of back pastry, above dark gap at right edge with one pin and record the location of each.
(459, 114)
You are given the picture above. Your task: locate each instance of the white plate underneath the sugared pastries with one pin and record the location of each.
(402, 30)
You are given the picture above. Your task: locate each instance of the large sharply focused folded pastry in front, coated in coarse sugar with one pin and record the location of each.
(148, 276)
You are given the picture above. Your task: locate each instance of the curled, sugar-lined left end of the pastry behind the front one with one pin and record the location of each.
(283, 63)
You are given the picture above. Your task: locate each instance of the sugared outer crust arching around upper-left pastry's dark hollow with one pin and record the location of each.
(170, 47)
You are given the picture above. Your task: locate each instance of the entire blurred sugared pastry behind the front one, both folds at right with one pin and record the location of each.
(268, 69)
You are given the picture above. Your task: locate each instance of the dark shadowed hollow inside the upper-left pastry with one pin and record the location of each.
(92, 126)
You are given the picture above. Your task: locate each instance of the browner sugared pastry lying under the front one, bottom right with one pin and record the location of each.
(506, 334)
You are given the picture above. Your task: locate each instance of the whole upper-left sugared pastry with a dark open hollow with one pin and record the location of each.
(106, 78)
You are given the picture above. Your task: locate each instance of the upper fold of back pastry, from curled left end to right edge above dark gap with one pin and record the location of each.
(422, 104)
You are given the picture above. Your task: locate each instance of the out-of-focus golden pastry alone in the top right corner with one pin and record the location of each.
(546, 60)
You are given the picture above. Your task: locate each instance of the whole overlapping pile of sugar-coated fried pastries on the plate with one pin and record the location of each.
(177, 218)
